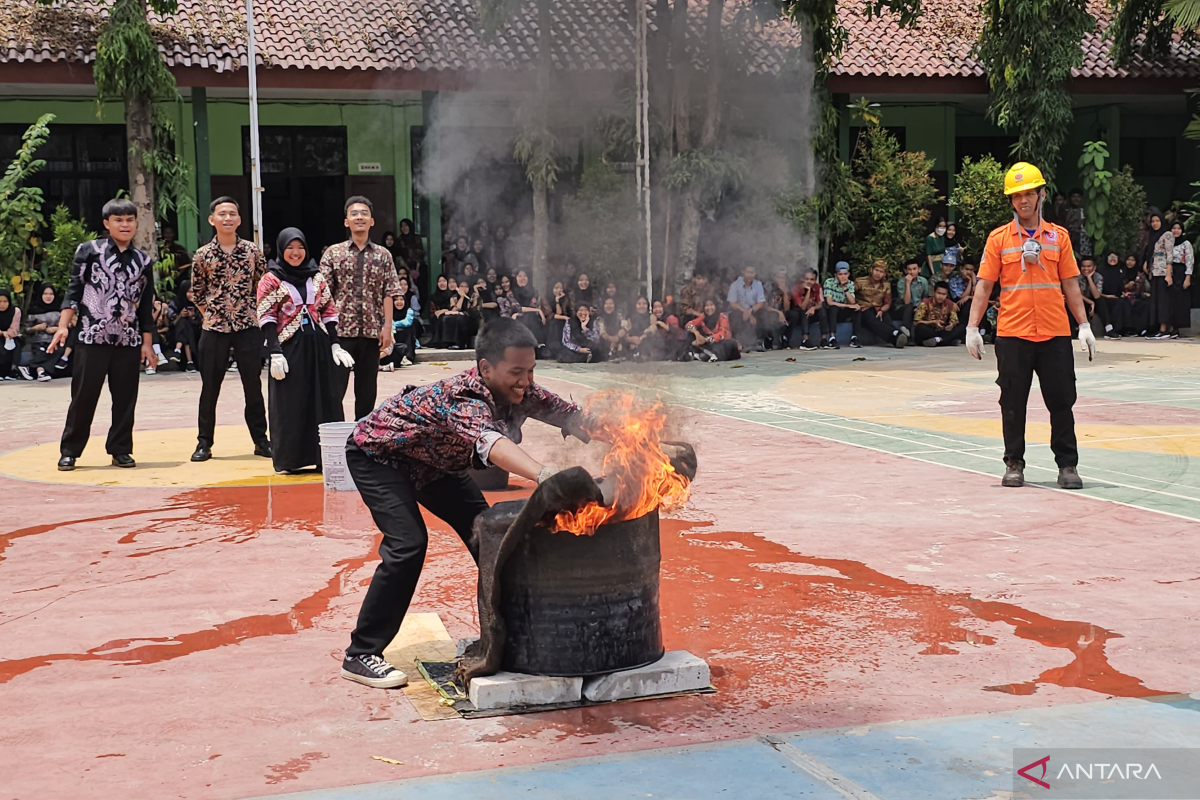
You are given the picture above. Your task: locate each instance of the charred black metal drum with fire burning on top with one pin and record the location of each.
(583, 605)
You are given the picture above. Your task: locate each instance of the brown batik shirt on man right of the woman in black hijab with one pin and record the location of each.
(361, 281)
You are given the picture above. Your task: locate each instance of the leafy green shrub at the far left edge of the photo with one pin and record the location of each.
(21, 208)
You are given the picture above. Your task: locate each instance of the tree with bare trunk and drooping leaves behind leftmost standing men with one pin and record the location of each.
(130, 70)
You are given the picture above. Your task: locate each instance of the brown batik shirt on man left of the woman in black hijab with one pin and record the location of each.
(226, 286)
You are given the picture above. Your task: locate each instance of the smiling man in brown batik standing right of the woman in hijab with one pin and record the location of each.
(363, 279)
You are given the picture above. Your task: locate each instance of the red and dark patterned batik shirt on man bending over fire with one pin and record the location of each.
(429, 432)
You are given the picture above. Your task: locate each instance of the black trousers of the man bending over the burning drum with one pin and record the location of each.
(395, 507)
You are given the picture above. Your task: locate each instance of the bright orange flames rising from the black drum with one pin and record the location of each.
(637, 466)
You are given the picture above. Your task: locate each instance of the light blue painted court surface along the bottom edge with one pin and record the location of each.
(950, 759)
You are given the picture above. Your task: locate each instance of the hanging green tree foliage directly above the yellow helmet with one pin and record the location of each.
(1029, 50)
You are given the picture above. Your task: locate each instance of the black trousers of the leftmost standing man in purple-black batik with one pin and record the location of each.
(122, 366)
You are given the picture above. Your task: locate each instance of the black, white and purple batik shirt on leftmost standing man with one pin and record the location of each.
(112, 293)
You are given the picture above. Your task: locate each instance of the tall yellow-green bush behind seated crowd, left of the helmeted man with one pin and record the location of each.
(891, 206)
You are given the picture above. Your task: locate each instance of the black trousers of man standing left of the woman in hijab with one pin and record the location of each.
(213, 360)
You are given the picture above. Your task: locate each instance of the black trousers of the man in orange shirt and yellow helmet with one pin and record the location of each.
(1055, 368)
